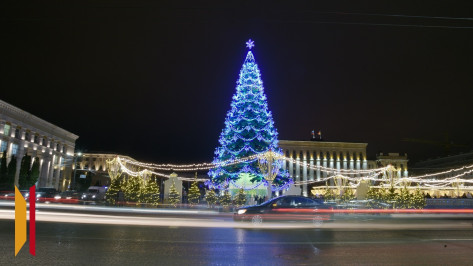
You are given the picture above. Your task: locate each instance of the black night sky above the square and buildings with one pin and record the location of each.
(154, 79)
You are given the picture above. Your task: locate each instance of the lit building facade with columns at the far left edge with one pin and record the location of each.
(22, 133)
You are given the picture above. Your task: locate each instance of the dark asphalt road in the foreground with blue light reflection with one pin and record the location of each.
(69, 243)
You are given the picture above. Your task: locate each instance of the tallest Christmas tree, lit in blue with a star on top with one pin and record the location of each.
(249, 130)
